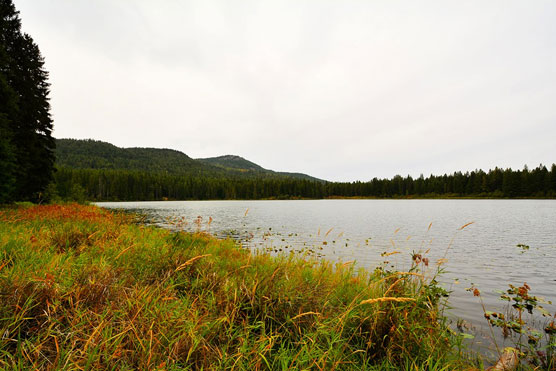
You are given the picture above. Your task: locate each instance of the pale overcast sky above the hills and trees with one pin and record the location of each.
(341, 90)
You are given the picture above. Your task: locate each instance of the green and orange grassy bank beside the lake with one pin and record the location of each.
(83, 288)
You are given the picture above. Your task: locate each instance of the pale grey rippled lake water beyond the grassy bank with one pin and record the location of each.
(485, 253)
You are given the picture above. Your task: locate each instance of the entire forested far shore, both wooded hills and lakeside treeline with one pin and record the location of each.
(99, 171)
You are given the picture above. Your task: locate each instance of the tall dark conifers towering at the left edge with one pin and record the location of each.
(26, 144)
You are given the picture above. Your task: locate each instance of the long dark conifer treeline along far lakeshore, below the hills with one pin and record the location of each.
(125, 185)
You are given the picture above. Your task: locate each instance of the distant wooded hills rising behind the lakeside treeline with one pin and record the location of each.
(94, 154)
